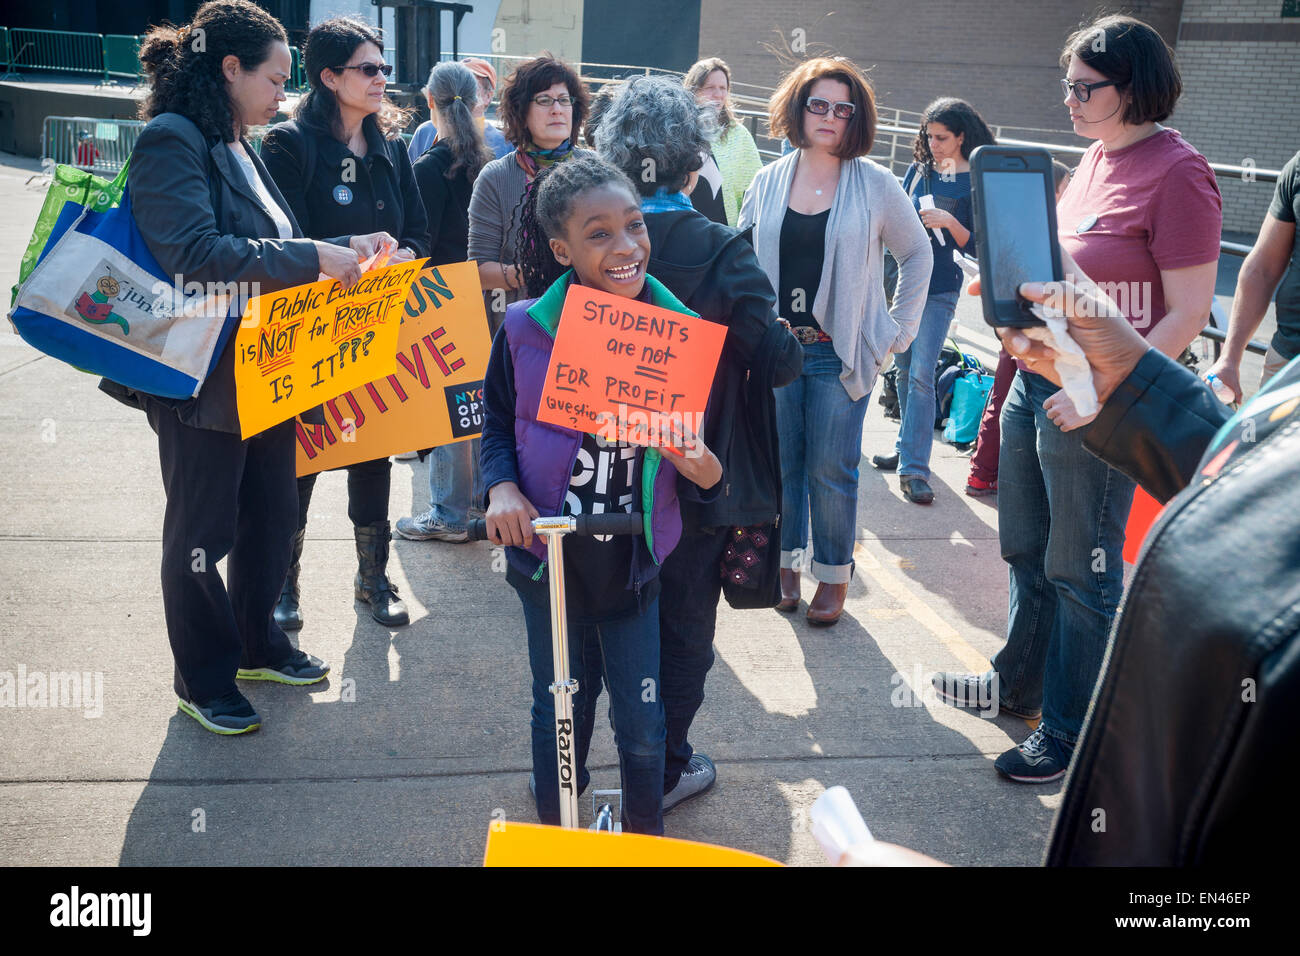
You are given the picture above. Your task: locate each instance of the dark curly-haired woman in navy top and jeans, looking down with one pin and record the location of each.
(951, 131)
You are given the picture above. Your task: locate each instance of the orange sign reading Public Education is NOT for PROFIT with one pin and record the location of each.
(313, 343)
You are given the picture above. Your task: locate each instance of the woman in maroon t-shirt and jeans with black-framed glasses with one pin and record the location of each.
(1141, 218)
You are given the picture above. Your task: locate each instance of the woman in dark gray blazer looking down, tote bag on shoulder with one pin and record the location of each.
(210, 214)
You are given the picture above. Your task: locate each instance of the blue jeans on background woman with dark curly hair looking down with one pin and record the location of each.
(917, 386)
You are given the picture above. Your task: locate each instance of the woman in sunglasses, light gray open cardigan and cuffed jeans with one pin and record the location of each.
(822, 217)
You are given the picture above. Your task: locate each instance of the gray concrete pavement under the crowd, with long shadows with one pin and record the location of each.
(422, 734)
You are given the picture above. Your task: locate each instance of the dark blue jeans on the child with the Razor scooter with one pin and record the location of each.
(630, 659)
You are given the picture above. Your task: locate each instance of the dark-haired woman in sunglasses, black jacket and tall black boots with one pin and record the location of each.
(344, 168)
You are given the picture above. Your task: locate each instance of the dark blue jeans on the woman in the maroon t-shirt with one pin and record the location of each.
(1061, 525)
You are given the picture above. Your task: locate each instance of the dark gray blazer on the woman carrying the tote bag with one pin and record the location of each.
(202, 222)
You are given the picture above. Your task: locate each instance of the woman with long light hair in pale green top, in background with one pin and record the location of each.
(733, 161)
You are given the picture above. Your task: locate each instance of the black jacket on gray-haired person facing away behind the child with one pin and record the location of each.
(714, 271)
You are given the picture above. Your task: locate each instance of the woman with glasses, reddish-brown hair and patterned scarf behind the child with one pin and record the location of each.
(543, 109)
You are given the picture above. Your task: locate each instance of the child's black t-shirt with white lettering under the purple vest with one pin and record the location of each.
(599, 570)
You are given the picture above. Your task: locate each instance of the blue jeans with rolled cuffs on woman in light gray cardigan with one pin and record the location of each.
(821, 434)
